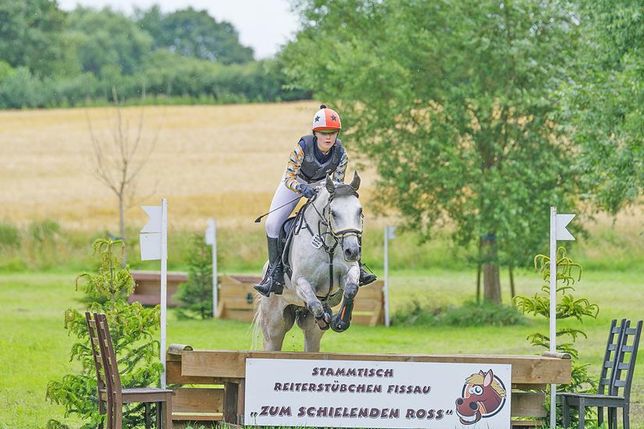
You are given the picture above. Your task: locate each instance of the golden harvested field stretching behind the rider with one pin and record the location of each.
(209, 161)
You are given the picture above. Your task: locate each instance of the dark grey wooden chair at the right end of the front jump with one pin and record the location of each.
(617, 373)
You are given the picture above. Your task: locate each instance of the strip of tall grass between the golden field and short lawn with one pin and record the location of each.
(47, 246)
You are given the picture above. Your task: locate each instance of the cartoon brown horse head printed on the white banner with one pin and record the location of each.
(483, 396)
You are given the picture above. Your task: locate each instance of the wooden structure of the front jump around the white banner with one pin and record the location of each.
(226, 370)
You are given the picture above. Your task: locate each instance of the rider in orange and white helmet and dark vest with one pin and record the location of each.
(313, 158)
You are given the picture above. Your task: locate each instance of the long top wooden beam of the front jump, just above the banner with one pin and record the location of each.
(231, 364)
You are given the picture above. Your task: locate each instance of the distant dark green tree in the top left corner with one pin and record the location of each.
(30, 35)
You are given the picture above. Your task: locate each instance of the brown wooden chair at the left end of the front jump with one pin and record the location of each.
(111, 394)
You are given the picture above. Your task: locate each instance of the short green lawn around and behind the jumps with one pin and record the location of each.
(34, 347)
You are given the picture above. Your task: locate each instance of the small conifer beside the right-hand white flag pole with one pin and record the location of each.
(568, 307)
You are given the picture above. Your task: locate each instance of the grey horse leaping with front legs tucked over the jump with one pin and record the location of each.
(330, 230)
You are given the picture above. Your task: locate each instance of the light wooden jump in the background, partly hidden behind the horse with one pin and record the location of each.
(237, 300)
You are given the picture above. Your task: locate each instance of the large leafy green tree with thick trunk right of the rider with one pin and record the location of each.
(454, 102)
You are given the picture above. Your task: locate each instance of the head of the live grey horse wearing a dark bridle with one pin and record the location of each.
(344, 216)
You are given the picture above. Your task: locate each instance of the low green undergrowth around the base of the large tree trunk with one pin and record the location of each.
(469, 314)
